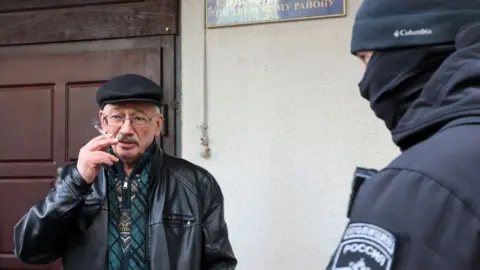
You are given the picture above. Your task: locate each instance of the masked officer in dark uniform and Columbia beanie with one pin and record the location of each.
(422, 79)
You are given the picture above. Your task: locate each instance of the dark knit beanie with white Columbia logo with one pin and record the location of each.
(382, 24)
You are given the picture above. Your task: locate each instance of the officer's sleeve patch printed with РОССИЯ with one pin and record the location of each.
(365, 247)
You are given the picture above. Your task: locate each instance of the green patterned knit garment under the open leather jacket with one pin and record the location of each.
(128, 208)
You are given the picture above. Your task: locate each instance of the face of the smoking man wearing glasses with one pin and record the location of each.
(135, 125)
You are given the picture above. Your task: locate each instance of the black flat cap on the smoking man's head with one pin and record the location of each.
(129, 88)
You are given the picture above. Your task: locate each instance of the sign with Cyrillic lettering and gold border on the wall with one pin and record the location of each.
(221, 13)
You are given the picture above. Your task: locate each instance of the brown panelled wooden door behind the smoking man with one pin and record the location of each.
(47, 105)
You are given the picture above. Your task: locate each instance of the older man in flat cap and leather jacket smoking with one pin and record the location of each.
(125, 204)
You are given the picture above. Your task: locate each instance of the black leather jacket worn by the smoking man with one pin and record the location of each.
(186, 226)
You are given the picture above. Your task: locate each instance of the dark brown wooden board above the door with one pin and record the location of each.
(33, 21)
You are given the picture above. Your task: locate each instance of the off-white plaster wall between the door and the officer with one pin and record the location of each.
(287, 128)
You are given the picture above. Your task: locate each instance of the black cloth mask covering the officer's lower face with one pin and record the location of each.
(395, 78)
